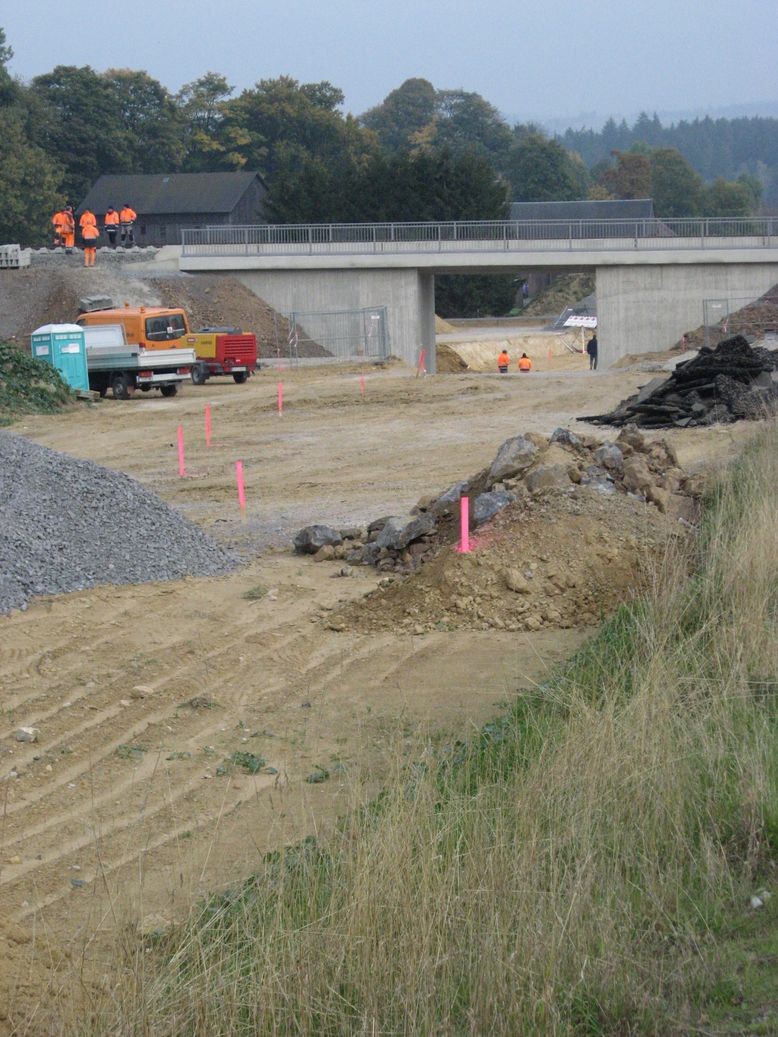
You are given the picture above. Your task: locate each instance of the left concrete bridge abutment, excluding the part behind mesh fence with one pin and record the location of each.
(408, 295)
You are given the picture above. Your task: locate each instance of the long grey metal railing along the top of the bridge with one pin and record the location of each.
(491, 236)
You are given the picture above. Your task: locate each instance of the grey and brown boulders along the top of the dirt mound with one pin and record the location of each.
(525, 467)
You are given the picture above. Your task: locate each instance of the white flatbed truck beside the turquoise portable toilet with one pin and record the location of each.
(123, 368)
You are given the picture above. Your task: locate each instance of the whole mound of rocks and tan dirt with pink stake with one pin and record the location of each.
(562, 527)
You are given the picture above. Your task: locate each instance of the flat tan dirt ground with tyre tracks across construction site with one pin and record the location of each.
(124, 810)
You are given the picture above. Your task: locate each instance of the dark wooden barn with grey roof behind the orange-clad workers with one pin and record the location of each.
(168, 204)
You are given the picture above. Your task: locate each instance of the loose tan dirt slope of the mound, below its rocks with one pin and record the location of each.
(560, 563)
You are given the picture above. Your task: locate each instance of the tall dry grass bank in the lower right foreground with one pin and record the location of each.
(566, 874)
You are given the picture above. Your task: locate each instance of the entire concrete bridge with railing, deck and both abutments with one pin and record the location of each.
(653, 275)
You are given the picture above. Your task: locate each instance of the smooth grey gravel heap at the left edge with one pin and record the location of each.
(67, 525)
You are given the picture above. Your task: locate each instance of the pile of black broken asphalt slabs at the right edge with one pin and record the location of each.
(726, 384)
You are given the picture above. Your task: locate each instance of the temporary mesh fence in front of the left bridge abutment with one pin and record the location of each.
(341, 335)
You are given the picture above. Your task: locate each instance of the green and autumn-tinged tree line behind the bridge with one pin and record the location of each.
(423, 154)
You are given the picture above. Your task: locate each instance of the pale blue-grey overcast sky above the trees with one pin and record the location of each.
(551, 60)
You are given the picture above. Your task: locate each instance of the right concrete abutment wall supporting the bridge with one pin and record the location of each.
(648, 309)
